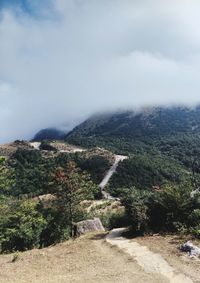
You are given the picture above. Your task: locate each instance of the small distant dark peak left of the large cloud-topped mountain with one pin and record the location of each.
(49, 134)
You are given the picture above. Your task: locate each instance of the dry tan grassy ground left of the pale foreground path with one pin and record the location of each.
(87, 259)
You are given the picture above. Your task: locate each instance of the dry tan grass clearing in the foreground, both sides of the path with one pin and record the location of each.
(90, 259)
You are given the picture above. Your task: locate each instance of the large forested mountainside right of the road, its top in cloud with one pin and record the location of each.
(163, 144)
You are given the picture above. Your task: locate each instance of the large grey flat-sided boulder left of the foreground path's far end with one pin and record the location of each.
(90, 225)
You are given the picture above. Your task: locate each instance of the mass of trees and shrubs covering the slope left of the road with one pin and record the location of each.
(26, 220)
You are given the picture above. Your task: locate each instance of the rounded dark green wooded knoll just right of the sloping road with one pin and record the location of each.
(144, 171)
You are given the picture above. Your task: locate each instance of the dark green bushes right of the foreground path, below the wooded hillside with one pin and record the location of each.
(171, 209)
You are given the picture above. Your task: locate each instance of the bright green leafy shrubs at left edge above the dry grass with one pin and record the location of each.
(21, 225)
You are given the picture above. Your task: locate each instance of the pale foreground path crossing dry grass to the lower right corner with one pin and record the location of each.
(152, 263)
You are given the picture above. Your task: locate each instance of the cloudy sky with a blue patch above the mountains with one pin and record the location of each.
(63, 60)
